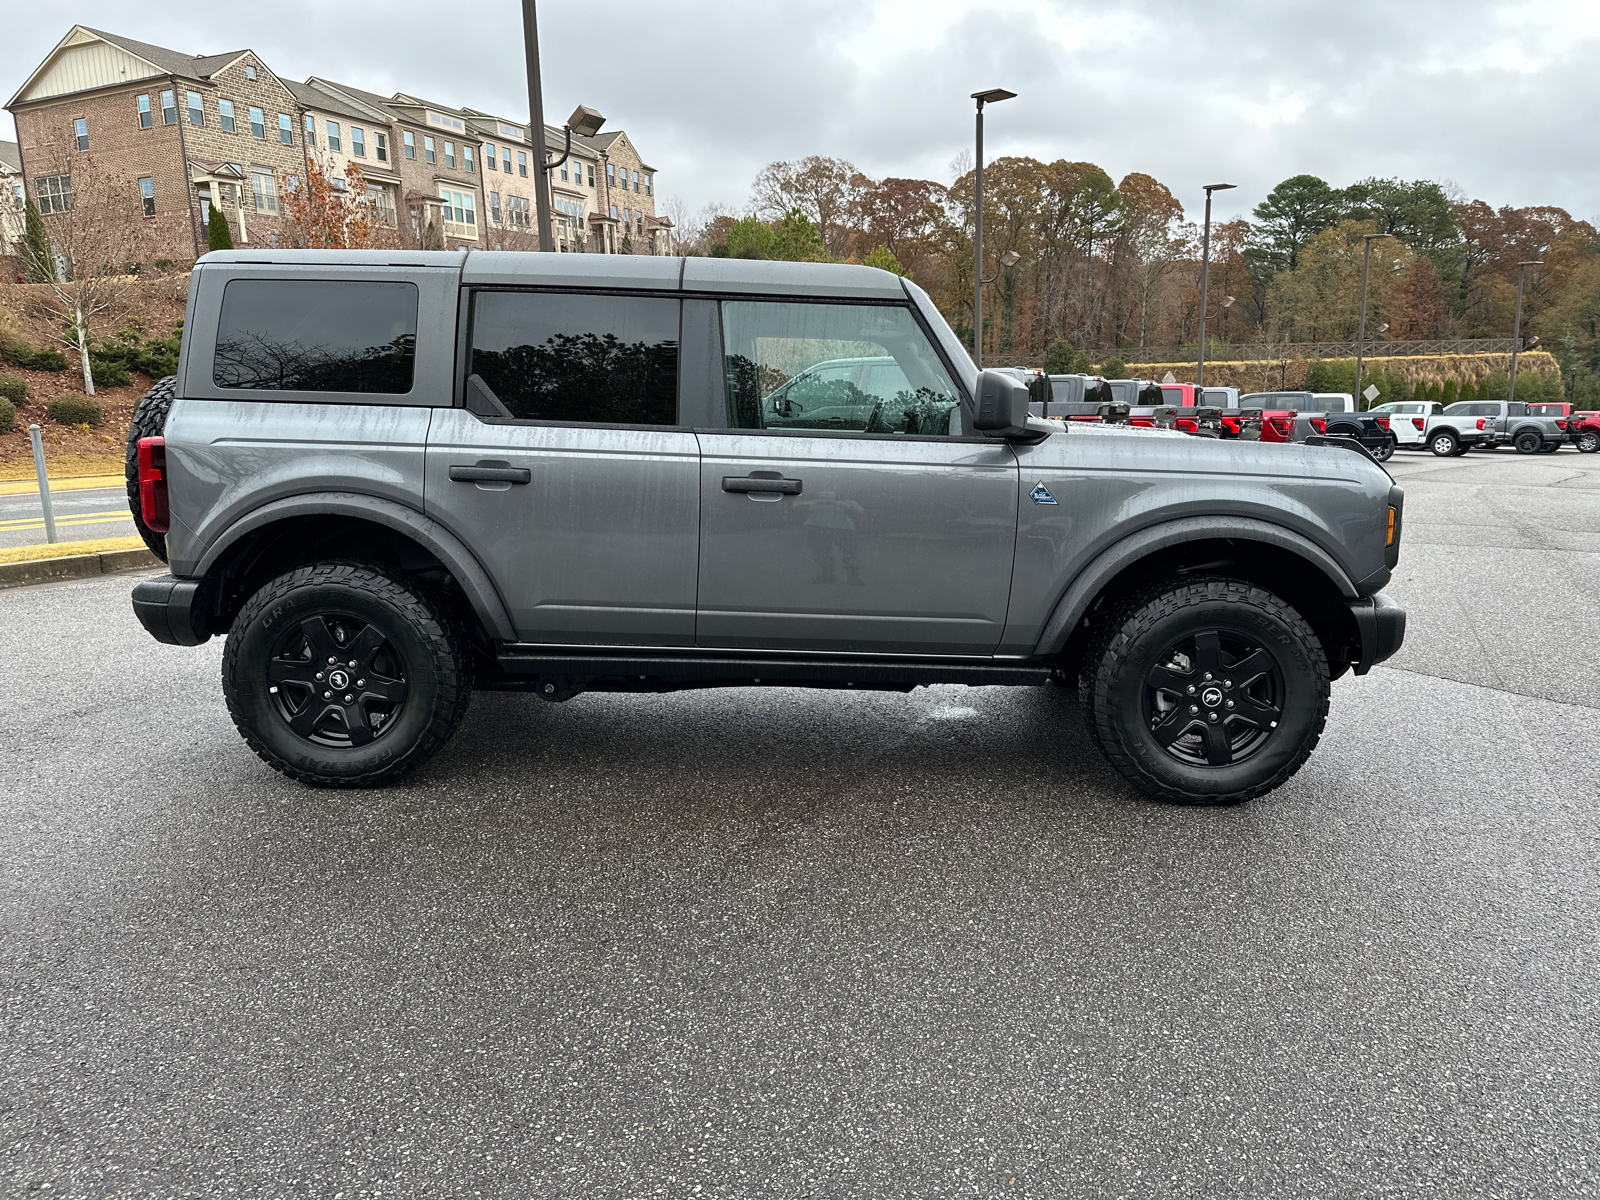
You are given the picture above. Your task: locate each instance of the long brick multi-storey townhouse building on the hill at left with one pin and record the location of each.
(223, 130)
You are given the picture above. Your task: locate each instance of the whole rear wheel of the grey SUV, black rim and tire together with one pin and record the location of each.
(345, 676)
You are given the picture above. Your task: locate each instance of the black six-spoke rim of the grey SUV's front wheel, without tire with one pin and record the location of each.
(1214, 700)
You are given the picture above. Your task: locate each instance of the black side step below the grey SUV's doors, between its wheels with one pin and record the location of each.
(590, 670)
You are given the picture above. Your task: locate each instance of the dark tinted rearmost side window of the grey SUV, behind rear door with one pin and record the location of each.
(318, 337)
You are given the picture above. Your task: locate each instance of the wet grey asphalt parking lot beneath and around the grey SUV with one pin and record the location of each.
(814, 945)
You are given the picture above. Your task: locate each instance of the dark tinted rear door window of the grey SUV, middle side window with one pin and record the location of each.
(578, 359)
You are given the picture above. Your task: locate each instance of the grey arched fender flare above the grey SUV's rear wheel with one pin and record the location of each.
(423, 530)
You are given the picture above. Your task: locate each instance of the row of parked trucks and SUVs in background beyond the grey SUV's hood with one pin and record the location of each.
(1295, 417)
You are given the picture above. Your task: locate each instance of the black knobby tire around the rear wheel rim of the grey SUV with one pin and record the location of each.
(426, 641)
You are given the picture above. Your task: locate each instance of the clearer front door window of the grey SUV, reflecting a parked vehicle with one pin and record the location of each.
(839, 367)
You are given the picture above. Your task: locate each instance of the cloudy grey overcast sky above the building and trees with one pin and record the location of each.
(1500, 98)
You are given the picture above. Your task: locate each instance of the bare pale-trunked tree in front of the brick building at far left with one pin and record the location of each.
(98, 242)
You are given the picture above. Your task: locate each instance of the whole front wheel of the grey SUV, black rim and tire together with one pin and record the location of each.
(1207, 692)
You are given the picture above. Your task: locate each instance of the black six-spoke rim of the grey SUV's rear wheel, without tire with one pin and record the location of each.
(337, 681)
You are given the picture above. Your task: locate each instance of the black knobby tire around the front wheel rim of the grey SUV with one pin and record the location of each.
(1116, 665)
